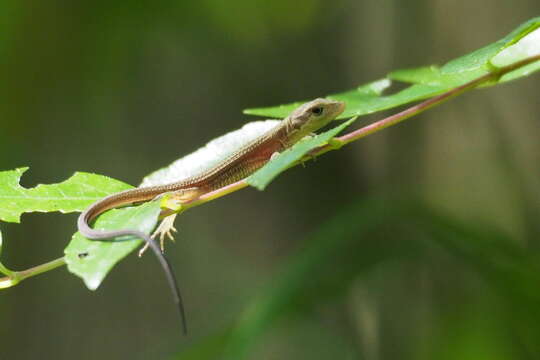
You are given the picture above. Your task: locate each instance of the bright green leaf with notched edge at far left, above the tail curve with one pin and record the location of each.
(74, 194)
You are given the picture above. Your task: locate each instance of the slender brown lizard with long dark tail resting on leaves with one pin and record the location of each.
(302, 122)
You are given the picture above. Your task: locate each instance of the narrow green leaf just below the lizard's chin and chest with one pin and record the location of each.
(261, 178)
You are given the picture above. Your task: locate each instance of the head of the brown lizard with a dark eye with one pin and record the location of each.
(315, 114)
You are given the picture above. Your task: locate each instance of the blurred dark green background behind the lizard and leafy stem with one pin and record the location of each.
(420, 242)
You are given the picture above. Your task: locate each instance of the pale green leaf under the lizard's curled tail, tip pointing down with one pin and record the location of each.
(92, 260)
